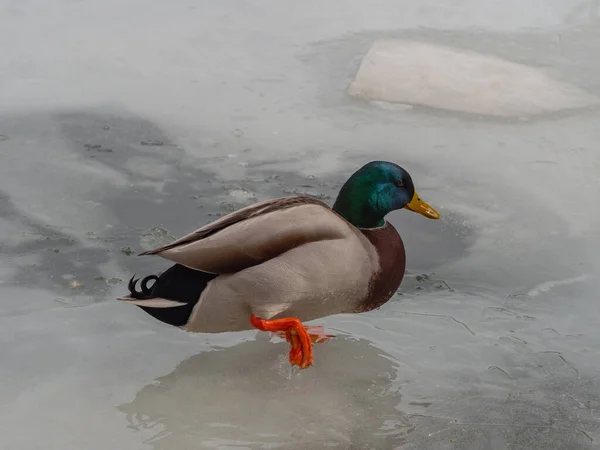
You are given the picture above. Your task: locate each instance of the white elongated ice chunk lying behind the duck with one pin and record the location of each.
(400, 71)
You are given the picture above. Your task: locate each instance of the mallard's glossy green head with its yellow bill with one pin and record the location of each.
(376, 189)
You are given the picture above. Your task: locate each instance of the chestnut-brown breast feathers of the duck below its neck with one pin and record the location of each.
(392, 262)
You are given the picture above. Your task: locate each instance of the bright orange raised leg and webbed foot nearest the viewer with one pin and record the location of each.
(301, 353)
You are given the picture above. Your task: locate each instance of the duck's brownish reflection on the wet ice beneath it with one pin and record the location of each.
(243, 395)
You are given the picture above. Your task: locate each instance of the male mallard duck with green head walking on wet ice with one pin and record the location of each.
(277, 263)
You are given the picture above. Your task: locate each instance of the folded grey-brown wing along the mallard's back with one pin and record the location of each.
(255, 234)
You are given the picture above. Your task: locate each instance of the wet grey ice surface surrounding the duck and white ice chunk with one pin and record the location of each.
(121, 126)
